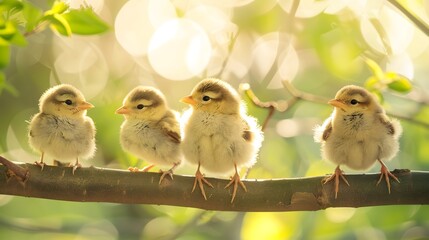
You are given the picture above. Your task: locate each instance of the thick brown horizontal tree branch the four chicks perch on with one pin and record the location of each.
(300, 194)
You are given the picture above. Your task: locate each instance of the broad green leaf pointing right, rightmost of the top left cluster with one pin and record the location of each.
(85, 22)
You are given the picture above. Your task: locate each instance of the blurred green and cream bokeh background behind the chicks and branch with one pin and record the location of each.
(172, 45)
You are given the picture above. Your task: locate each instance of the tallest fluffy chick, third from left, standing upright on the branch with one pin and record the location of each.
(218, 135)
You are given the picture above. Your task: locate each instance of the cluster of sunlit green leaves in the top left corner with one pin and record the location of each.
(19, 19)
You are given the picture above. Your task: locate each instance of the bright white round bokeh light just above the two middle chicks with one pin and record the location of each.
(179, 49)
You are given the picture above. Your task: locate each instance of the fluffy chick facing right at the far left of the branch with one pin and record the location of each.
(61, 129)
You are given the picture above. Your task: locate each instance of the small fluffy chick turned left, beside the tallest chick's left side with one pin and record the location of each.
(150, 130)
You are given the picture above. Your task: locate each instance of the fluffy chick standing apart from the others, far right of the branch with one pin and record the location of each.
(357, 134)
